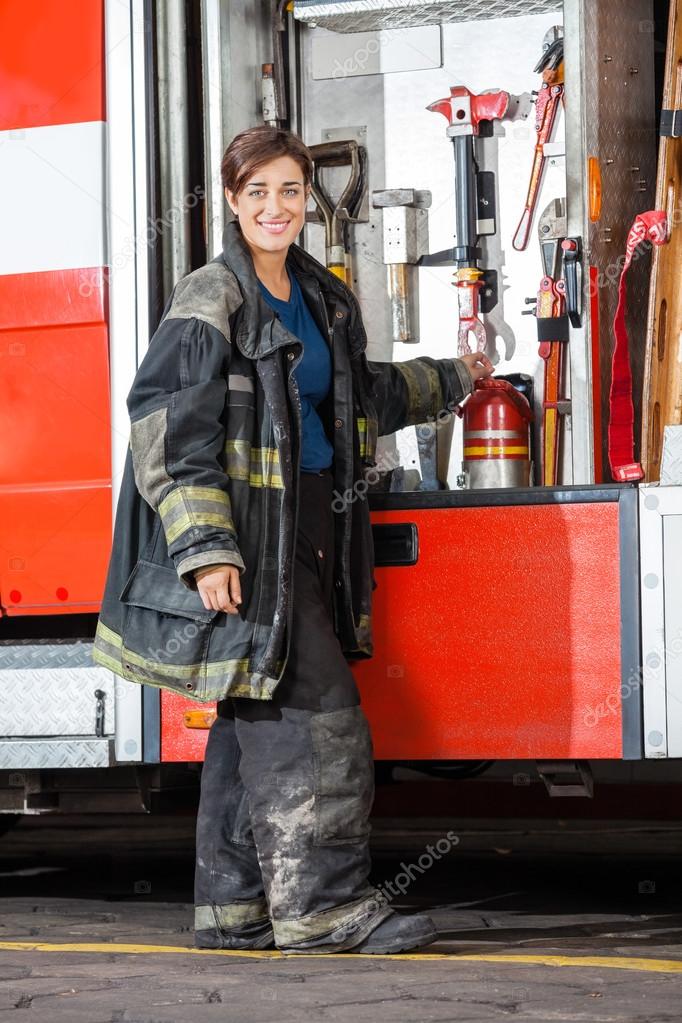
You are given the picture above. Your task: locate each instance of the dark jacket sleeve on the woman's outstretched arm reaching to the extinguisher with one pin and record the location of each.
(417, 391)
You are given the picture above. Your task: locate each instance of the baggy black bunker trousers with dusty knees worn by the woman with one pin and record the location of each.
(288, 785)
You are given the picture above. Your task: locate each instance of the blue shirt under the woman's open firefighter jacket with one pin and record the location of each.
(313, 374)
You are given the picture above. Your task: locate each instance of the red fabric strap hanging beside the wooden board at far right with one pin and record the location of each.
(653, 228)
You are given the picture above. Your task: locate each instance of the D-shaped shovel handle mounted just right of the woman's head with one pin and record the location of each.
(338, 216)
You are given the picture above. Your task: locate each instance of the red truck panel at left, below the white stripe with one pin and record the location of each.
(56, 466)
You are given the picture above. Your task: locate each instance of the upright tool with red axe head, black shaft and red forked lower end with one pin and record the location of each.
(466, 114)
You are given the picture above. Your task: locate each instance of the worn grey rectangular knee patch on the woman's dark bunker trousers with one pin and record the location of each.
(344, 776)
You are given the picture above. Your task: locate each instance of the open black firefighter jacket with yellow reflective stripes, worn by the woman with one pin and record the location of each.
(211, 477)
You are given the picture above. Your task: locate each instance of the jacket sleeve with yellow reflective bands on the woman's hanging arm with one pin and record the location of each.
(177, 438)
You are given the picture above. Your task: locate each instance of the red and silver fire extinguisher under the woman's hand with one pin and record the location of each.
(497, 437)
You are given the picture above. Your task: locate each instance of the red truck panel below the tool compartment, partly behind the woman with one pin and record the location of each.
(504, 641)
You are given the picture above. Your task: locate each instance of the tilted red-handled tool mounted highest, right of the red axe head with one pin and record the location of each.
(548, 107)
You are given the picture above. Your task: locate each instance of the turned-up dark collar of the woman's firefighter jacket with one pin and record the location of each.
(260, 332)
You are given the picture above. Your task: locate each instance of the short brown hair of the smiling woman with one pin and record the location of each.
(255, 147)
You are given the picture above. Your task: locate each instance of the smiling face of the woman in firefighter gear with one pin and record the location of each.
(271, 207)
